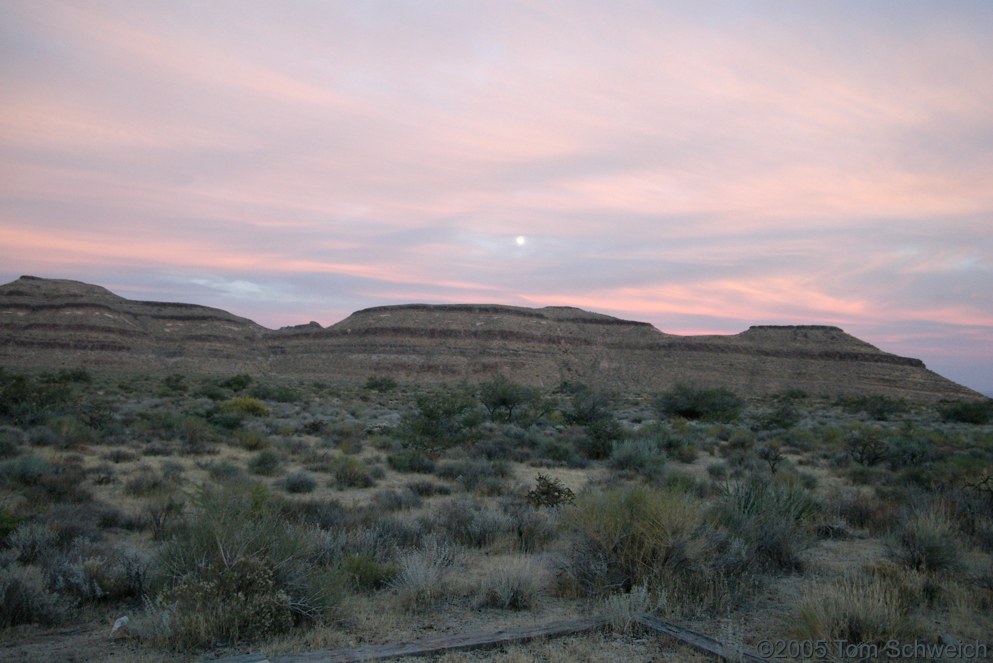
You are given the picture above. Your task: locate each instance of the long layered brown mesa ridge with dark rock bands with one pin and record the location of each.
(50, 324)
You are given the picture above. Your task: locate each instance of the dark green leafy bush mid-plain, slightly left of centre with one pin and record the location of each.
(442, 418)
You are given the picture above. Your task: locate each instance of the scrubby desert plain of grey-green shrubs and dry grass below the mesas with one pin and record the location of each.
(234, 513)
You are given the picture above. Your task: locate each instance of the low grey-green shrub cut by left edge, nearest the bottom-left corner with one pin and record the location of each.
(25, 598)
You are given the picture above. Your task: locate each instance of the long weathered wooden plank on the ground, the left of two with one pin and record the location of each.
(441, 644)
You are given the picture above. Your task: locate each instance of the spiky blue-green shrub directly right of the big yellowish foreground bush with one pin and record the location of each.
(771, 518)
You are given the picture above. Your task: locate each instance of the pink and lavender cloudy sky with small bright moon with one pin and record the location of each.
(702, 166)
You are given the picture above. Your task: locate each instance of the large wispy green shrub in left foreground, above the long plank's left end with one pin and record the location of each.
(236, 571)
